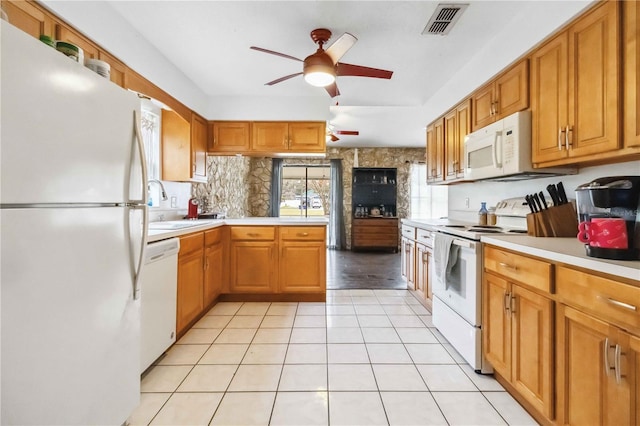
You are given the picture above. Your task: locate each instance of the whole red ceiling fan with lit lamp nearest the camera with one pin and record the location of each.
(322, 67)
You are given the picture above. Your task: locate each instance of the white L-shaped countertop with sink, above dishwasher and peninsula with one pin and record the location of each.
(203, 225)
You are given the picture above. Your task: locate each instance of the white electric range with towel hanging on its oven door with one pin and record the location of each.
(457, 292)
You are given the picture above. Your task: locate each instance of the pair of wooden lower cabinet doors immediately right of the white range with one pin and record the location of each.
(518, 340)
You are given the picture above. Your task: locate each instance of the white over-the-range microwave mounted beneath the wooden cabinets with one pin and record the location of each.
(502, 151)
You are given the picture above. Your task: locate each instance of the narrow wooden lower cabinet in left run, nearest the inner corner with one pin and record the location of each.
(214, 265)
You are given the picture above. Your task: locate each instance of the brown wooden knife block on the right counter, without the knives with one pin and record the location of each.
(556, 221)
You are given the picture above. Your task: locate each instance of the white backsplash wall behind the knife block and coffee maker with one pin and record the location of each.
(493, 192)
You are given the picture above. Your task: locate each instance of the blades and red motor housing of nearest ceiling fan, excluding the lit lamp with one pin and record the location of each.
(332, 55)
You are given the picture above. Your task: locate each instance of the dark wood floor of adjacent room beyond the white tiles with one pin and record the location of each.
(363, 270)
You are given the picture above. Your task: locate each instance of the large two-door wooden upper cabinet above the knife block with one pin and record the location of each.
(575, 85)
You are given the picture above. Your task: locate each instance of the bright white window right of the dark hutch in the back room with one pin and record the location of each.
(427, 201)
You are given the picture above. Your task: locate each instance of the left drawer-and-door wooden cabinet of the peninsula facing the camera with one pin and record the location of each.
(253, 259)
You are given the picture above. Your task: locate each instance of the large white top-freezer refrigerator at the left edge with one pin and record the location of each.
(73, 230)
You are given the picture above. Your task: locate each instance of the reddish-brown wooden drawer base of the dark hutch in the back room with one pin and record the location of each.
(374, 234)
